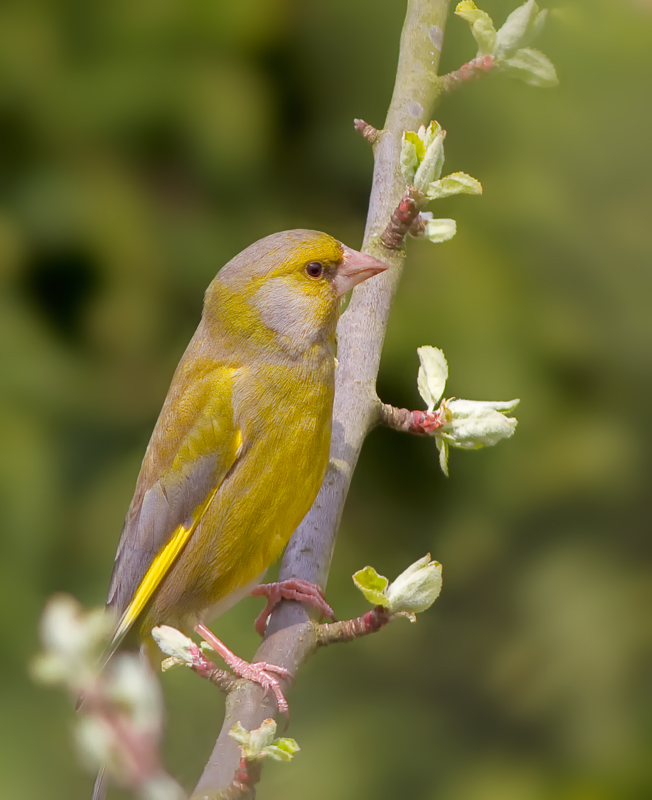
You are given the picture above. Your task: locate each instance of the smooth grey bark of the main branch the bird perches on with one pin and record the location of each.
(291, 636)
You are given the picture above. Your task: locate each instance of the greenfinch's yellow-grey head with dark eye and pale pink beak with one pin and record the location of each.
(291, 283)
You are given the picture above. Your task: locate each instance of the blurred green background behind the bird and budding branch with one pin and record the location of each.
(144, 143)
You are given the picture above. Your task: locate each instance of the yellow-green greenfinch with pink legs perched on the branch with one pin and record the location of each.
(241, 444)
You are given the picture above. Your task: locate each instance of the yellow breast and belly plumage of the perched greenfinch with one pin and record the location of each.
(283, 413)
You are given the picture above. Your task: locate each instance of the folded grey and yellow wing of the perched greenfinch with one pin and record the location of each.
(194, 445)
